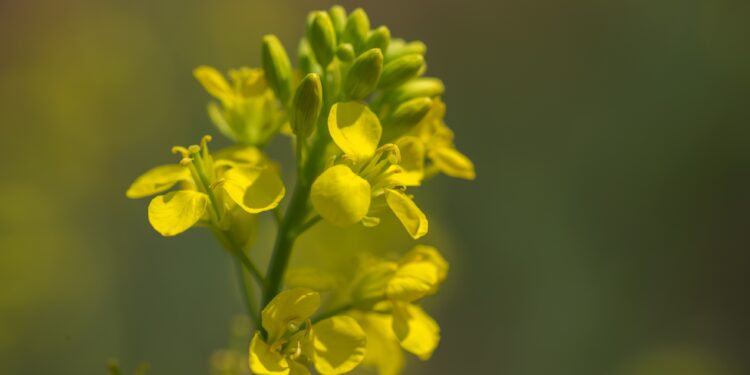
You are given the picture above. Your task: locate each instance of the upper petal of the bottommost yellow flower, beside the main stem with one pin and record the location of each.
(290, 307)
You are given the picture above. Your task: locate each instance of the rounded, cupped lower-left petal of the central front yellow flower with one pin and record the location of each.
(340, 196)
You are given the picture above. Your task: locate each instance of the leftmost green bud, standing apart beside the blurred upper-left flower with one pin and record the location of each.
(277, 67)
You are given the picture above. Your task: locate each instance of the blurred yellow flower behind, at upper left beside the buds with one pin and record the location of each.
(248, 113)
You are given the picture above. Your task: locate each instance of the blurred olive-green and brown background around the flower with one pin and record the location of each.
(607, 232)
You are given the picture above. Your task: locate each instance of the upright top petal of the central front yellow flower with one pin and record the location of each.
(355, 129)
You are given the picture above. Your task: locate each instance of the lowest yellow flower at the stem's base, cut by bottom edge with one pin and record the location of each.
(334, 346)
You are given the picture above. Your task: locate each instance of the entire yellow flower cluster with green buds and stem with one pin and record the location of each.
(367, 127)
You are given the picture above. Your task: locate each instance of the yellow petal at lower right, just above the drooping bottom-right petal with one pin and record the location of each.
(412, 281)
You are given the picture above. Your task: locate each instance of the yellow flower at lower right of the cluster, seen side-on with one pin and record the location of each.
(391, 289)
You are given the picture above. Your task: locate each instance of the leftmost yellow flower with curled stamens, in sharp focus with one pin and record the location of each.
(210, 190)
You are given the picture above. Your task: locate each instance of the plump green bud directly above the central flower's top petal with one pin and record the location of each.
(363, 76)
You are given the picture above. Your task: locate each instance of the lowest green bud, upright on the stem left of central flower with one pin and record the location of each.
(308, 100)
